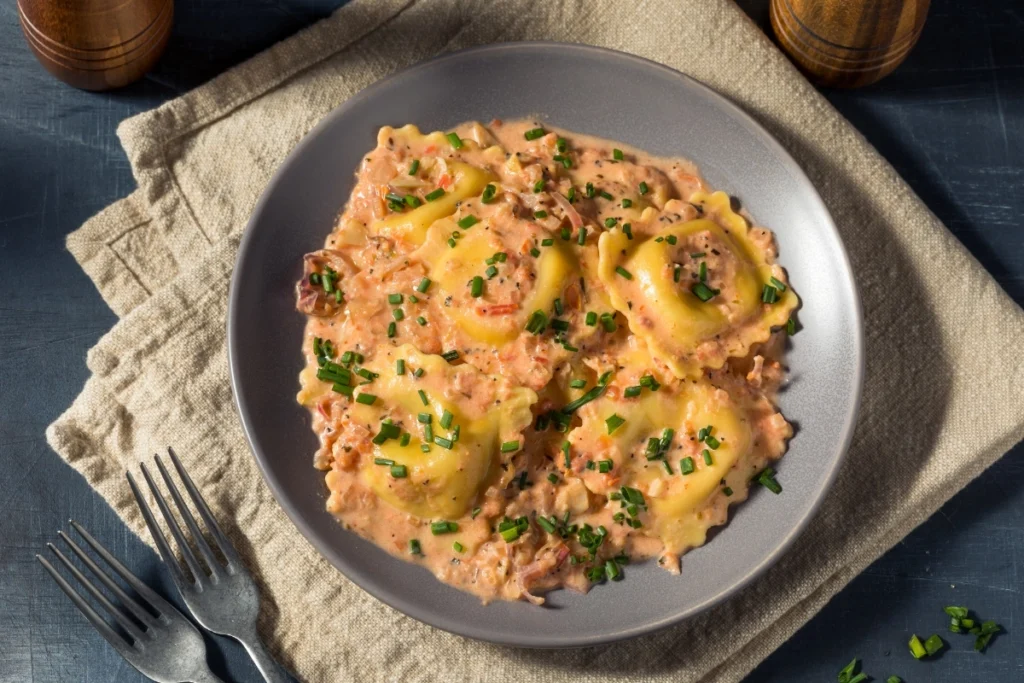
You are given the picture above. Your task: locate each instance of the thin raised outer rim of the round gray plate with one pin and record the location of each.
(327, 550)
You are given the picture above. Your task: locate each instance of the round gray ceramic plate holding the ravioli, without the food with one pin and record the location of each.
(605, 94)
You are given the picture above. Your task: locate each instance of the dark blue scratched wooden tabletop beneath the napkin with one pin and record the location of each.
(951, 120)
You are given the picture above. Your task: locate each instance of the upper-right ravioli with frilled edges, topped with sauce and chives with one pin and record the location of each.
(689, 321)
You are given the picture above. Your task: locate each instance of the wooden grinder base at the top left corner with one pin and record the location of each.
(97, 45)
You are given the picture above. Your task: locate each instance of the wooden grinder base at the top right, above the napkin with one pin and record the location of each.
(848, 44)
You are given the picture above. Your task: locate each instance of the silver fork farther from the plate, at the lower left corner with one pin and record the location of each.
(167, 649)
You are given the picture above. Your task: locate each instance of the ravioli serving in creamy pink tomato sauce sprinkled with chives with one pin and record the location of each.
(535, 357)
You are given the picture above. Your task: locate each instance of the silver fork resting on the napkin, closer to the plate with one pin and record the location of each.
(224, 599)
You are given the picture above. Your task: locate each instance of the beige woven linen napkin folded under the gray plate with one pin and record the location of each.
(943, 397)
